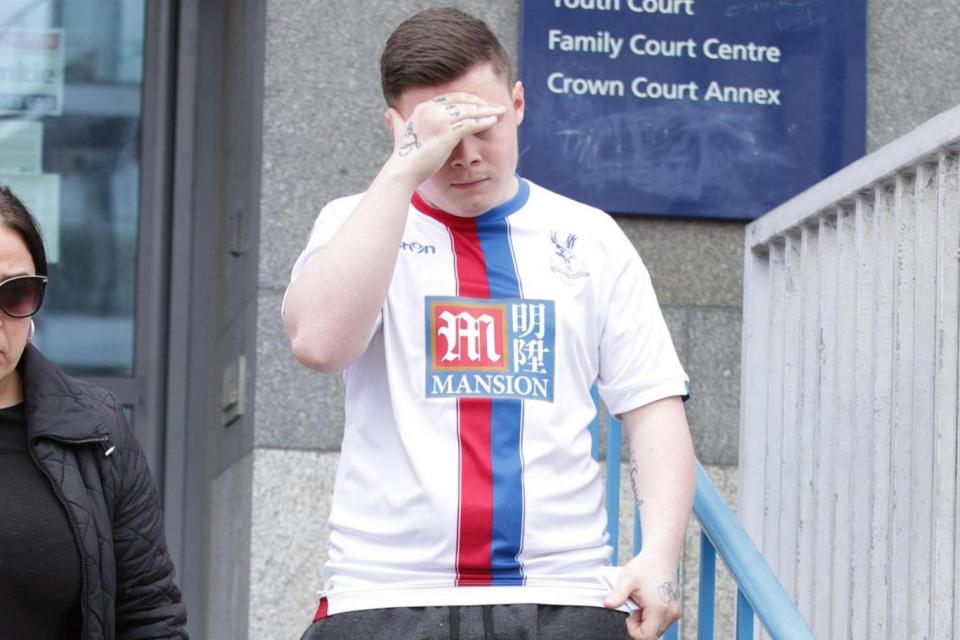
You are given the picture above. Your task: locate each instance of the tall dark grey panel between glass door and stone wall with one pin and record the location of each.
(229, 47)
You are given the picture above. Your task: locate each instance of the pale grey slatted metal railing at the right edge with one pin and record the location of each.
(850, 404)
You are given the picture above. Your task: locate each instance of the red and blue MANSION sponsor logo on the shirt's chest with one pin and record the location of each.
(489, 348)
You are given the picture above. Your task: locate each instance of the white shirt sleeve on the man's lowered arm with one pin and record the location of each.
(638, 362)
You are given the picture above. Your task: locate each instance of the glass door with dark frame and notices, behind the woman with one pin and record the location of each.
(79, 146)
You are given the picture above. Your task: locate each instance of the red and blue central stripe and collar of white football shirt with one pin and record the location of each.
(490, 527)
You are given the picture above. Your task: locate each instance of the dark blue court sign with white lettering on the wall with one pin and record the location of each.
(704, 108)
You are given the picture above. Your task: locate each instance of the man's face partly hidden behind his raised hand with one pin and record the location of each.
(480, 172)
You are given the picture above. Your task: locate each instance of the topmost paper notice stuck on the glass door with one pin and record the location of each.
(31, 71)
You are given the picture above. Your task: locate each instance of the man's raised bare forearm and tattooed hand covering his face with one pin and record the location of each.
(332, 307)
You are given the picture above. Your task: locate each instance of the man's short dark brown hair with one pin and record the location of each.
(436, 46)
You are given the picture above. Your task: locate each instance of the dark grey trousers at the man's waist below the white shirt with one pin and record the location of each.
(487, 622)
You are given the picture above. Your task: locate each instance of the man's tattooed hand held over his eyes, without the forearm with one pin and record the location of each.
(424, 141)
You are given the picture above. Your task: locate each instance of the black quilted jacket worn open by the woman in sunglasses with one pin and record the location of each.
(79, 438)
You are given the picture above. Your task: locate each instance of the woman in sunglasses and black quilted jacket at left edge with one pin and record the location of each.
(82, 550)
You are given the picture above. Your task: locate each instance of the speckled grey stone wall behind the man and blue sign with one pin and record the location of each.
(322, 137)
